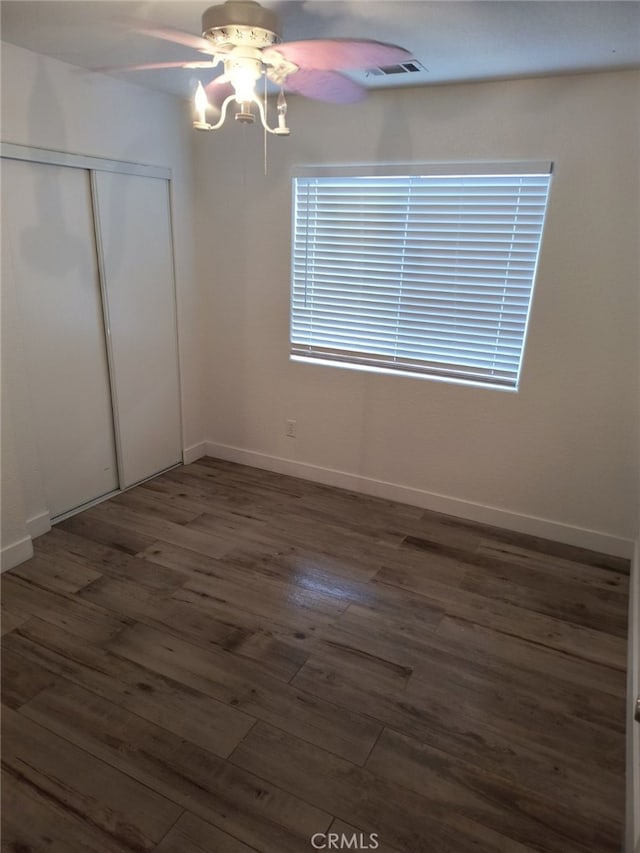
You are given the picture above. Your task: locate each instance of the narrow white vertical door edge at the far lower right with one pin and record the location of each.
(632, 833)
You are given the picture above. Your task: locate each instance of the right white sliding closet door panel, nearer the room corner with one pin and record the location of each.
(137, 269)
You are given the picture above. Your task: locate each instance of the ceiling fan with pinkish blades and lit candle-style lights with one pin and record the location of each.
(245, 38)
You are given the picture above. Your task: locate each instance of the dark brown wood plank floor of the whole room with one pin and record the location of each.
(228, 660)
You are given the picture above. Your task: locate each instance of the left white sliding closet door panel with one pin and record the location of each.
(47, 225)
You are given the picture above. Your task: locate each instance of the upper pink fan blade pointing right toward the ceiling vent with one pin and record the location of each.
(338, 54)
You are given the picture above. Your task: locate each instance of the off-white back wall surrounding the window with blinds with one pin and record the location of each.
(560, 450)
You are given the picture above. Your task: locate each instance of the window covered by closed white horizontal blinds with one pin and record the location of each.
(428, 274)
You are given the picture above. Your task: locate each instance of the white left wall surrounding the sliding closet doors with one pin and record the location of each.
(48, 104)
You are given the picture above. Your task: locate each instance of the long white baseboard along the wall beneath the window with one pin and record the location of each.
(545, 528)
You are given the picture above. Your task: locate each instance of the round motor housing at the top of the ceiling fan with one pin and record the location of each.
(241, 23)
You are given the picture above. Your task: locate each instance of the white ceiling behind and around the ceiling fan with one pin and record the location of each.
(455, 41)
